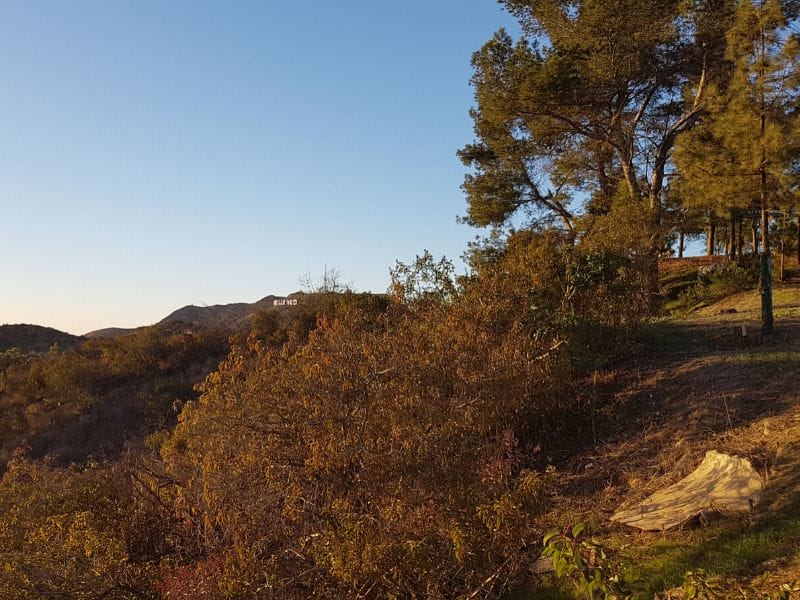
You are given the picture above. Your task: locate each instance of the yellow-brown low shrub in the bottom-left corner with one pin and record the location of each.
(67, 533)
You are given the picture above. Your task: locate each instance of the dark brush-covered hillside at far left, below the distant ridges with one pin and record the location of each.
(94, 397)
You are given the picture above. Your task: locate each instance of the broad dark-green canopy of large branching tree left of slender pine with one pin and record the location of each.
(588, 102)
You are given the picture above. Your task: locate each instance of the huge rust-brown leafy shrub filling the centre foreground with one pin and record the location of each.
(386, 457)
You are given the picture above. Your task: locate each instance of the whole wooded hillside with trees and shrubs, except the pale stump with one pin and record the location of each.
(434, 441)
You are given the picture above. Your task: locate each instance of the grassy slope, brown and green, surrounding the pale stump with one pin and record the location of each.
(696, 385)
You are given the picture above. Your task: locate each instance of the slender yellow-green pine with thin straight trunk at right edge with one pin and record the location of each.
(742, 154)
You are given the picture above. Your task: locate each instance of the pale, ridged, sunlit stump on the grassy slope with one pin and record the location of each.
(721, 482)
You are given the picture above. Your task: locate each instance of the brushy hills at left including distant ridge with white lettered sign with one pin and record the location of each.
(114, 386)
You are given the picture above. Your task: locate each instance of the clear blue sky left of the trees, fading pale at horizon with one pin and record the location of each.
(155, 154)
